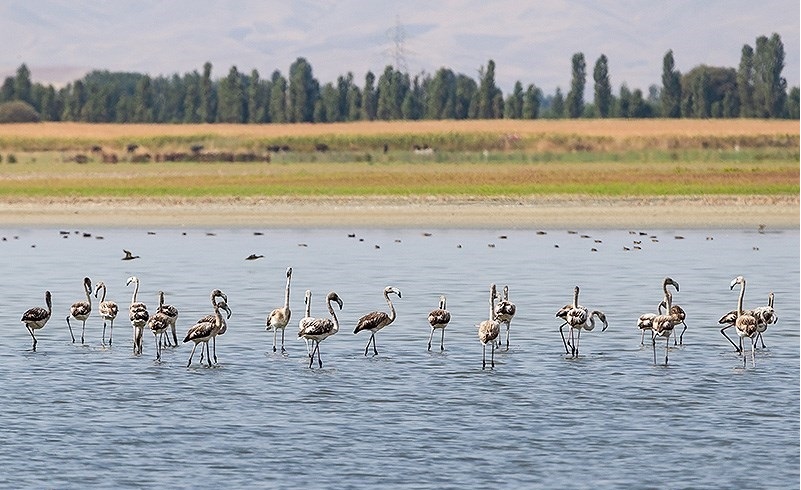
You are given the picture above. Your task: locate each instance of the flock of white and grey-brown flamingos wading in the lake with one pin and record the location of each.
(661, 323)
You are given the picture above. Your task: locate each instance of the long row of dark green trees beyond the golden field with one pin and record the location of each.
(754, 89)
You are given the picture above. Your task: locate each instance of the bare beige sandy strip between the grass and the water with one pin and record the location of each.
(396, 212)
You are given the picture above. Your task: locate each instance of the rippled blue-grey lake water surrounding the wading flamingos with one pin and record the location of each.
(91, 416)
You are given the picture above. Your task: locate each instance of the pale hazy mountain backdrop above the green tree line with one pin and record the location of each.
(529, 41)
